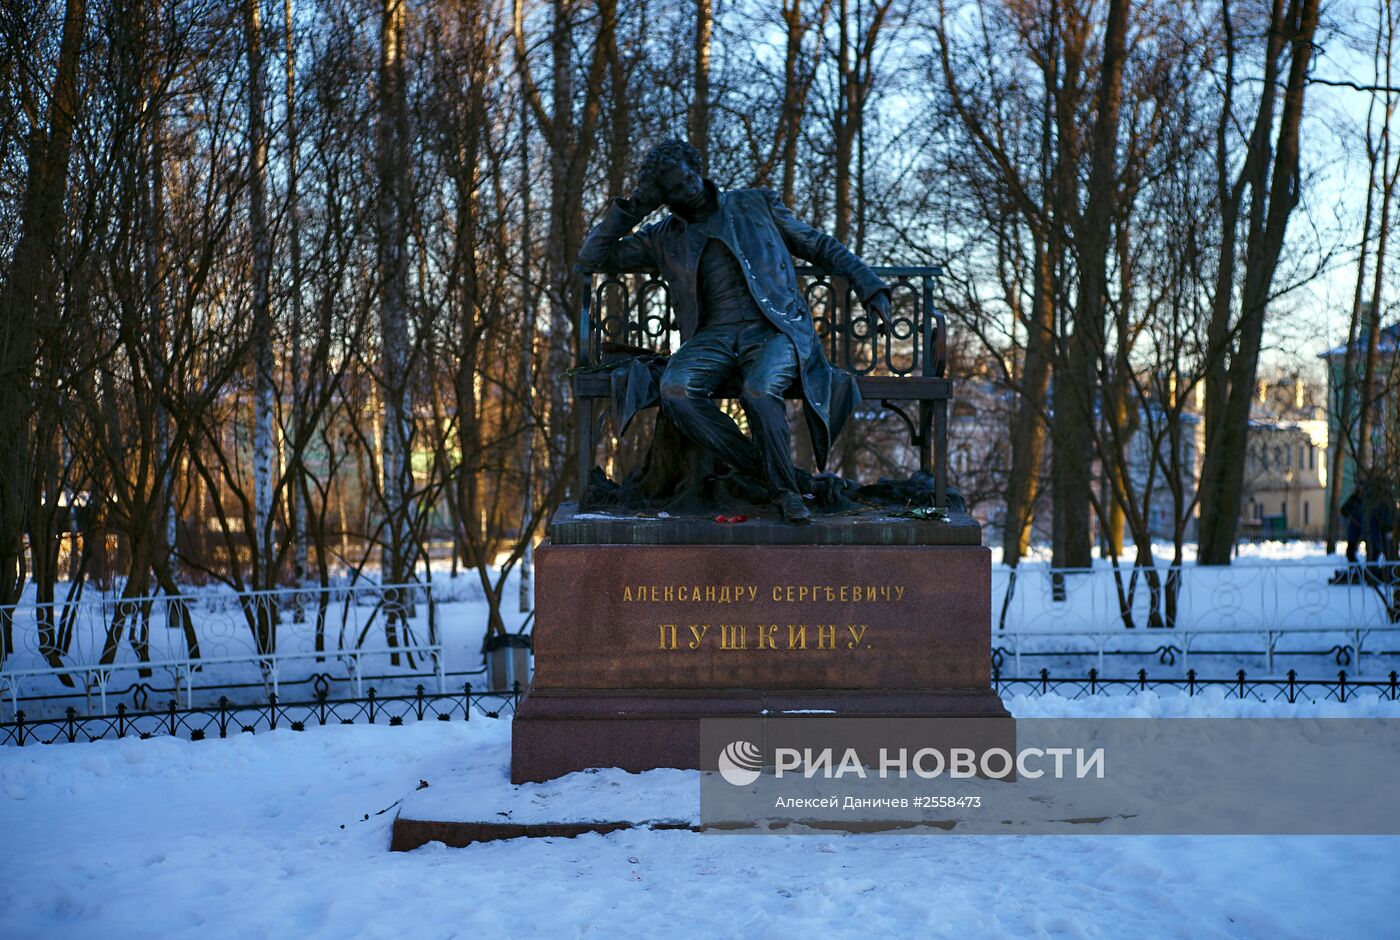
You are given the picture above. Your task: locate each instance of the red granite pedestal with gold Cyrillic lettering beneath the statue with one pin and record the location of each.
(636, 645)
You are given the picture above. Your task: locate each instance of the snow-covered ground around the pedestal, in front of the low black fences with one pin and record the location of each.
(282, 836)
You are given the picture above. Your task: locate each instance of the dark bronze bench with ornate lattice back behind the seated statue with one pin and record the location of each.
(906, 366)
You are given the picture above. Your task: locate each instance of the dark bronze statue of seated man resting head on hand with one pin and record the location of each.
(727, 261)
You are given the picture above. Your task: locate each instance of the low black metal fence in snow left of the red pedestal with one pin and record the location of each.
(226, 718)
